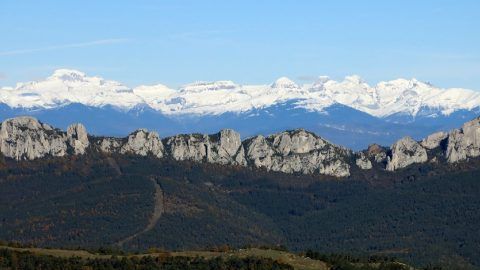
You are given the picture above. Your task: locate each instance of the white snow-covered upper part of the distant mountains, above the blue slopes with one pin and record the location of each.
(403, 96)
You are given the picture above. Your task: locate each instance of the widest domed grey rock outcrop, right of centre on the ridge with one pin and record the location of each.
(297, 151)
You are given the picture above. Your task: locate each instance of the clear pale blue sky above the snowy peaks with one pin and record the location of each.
(176, 42)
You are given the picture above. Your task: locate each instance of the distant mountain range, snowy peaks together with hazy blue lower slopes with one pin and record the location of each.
(348, 112)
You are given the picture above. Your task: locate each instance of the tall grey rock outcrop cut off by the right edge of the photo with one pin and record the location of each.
(465, 142)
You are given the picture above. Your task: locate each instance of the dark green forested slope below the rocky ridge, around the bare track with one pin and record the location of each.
(424, 214)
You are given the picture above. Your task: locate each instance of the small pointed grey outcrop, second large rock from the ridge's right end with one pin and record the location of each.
(405, 152)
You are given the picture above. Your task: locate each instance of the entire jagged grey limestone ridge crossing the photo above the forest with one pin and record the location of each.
(294, 151)
